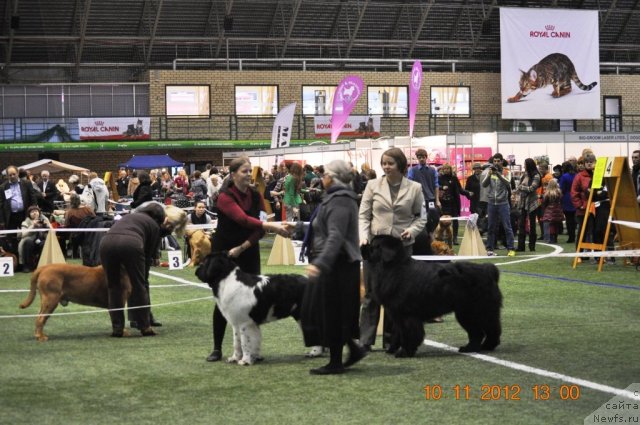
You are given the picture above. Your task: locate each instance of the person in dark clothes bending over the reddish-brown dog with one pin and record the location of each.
(132, 243)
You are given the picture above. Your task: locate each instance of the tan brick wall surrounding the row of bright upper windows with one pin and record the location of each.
(485, 99)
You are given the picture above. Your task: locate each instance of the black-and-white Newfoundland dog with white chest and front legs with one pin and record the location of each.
(247, 301)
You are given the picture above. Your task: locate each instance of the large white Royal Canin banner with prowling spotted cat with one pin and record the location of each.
(550, 64)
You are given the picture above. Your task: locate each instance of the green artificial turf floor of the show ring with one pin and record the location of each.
(579, 323)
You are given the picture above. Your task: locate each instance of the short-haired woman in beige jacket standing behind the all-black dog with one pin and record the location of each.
(391, 205)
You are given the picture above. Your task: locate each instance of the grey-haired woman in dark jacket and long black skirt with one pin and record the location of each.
(332, 304)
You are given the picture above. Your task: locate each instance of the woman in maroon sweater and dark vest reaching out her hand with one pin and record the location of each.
(238, 231)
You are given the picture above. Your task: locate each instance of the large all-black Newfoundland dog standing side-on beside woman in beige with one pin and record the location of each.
(413, 292)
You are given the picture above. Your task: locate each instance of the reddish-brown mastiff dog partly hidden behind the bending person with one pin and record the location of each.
(61, 283)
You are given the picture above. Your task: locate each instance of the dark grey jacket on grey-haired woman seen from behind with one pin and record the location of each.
(335, 229)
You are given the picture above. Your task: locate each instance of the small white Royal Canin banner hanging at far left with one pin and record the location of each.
(114, 128)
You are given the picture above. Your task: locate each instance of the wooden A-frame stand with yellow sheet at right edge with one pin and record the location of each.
(614, 173)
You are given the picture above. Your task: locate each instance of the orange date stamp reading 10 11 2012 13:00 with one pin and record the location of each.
(513, 392)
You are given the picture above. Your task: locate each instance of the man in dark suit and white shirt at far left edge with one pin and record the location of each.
(16, 196)
